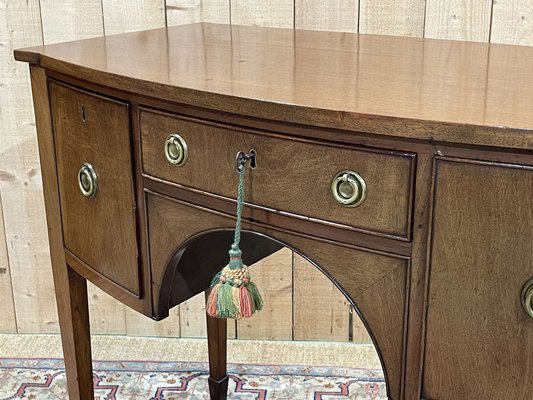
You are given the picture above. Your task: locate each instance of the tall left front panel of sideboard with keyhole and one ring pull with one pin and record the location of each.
(100, 230)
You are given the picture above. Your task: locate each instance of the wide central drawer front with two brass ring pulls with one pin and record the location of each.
(292, 176)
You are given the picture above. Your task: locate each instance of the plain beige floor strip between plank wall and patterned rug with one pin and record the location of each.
(167, 349)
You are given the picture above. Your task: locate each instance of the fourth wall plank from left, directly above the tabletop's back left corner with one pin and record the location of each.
(181, 12)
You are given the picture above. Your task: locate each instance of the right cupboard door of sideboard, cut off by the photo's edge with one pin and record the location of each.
(479, 342)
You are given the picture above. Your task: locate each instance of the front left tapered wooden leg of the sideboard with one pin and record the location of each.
(71, 294)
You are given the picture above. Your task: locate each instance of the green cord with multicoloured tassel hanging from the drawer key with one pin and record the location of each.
(233, 294)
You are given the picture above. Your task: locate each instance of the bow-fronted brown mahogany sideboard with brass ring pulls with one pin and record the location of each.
(401, 167)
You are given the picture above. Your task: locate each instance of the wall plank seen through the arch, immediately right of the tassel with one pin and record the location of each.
(273, 276)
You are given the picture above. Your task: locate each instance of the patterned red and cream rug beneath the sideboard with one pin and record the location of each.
(44, 379)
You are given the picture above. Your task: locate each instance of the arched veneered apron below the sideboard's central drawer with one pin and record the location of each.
(376, 282)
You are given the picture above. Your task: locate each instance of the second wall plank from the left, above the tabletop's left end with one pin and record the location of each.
(71, 19)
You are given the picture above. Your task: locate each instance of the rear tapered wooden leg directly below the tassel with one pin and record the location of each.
(216, 343)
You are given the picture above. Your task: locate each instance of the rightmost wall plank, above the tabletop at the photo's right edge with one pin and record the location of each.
(512, 22)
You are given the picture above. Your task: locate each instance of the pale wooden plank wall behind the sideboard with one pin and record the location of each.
(290, 284)
